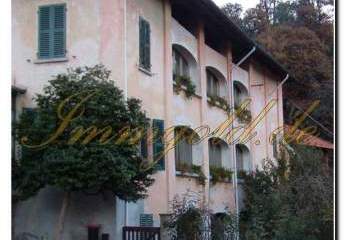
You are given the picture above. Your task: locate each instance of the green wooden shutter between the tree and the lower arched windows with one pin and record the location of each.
(158, 143)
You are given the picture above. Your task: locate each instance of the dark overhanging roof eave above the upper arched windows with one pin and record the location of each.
(210, 11)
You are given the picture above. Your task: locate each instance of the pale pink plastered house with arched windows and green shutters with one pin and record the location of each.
(155, 49)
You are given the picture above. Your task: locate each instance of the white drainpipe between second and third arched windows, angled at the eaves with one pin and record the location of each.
(233, 145)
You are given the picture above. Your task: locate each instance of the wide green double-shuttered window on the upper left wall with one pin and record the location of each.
(52, 31)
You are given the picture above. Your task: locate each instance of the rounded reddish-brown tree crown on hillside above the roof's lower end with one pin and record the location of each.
(301, 51)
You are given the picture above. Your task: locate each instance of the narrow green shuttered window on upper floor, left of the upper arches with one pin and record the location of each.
(144, 44)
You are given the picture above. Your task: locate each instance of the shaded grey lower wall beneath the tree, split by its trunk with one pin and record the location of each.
(39, 215)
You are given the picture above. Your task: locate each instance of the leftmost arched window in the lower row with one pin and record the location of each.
(183, 148)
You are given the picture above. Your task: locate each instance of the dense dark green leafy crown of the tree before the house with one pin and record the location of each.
(92, 167)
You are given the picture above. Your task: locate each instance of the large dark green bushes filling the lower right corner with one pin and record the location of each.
(289, 200)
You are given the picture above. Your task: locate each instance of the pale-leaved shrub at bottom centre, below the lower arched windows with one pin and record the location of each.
(191, 218)
